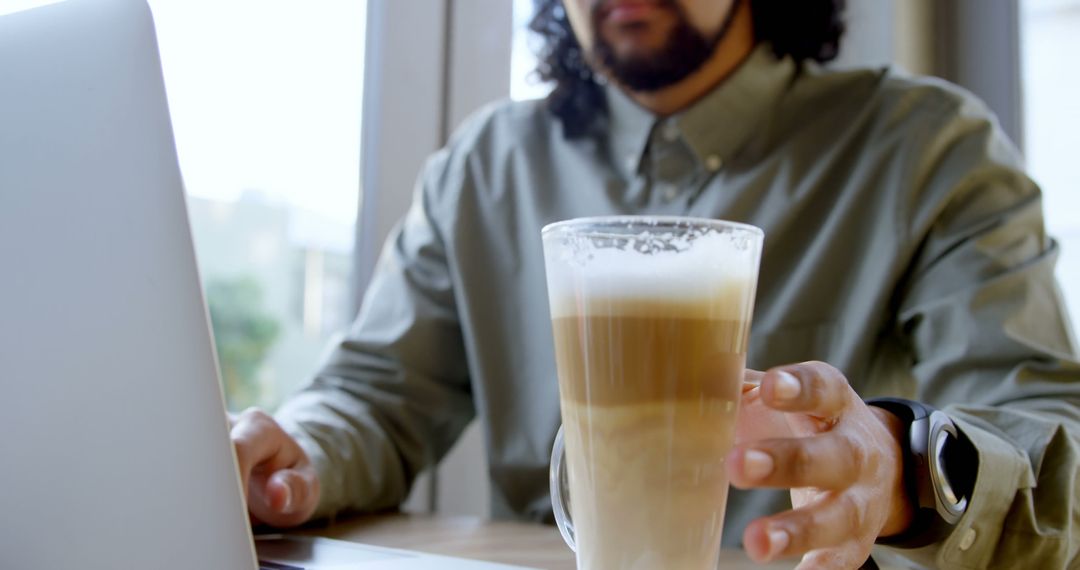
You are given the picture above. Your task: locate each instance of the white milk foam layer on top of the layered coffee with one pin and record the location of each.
(709, 277)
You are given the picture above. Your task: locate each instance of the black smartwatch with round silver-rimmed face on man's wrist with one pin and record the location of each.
(940, 470)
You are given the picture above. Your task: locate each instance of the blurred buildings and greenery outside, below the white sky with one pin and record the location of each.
(277, 282)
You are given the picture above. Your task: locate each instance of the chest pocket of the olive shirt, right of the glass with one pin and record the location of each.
(793, 344)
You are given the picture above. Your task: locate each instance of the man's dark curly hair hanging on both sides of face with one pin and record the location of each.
(801, 30)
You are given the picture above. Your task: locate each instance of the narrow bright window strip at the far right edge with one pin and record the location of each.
(1052, 125)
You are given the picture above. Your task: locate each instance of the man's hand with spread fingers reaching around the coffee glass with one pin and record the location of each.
(806, 430)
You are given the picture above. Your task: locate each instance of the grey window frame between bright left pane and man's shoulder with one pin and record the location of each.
(428, 65)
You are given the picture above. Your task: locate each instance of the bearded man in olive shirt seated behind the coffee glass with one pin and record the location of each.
(904, 249)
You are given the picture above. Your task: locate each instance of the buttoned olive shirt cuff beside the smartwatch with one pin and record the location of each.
(976, 538)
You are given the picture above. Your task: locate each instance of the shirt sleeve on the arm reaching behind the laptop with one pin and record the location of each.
(394, 396)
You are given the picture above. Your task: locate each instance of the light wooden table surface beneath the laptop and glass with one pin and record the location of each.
(514, 544)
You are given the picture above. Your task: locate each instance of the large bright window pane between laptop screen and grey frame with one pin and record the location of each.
(266, 105)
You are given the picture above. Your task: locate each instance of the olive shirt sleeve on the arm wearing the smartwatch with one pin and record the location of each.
(992, 346)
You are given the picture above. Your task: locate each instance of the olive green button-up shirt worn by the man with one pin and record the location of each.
(904, 246)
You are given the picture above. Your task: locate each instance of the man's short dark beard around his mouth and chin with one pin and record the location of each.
(685, 51)
